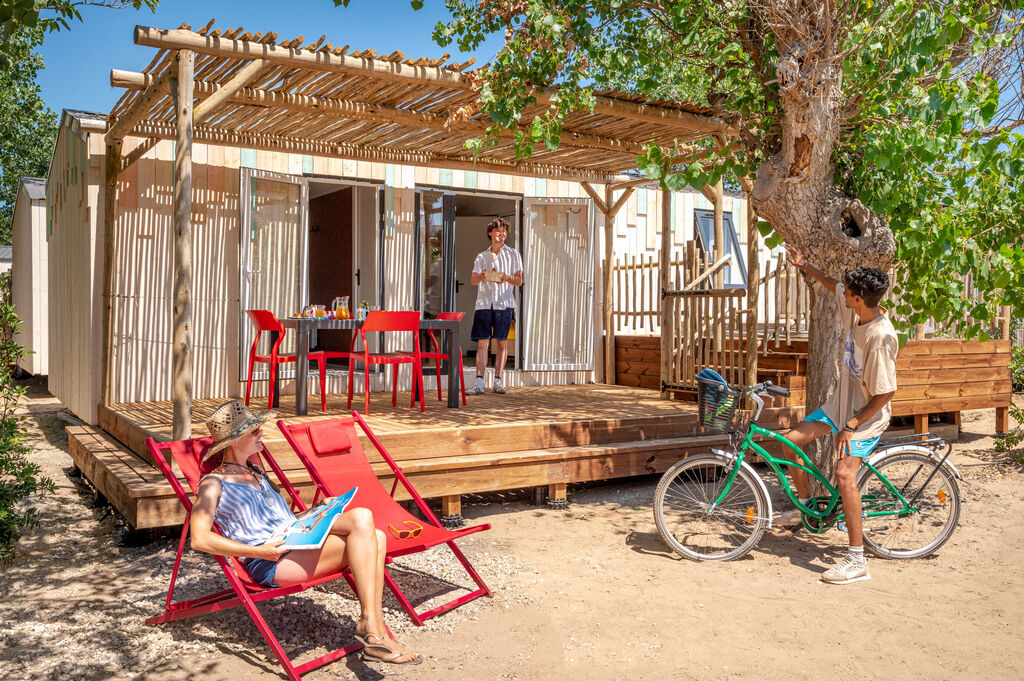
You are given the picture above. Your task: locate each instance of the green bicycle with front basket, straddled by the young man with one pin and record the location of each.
(716, 507)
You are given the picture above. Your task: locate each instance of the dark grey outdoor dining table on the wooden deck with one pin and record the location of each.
(304, 326)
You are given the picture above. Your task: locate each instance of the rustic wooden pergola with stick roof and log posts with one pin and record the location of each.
(243, 90)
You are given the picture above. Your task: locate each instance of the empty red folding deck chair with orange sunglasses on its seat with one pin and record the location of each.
(332, 452)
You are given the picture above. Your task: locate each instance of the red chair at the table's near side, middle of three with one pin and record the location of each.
(389, 322)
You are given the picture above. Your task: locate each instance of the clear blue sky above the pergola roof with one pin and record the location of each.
(79, 61)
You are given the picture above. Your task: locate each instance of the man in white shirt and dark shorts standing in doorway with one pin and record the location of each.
(496, 271)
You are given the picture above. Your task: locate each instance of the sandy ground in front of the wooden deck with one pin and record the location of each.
(589, 593)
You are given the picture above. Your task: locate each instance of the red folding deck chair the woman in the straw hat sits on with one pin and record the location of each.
(244, 591)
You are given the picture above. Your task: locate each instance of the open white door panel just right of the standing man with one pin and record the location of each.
(559, 287)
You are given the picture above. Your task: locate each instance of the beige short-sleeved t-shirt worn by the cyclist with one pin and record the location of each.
(869, 369)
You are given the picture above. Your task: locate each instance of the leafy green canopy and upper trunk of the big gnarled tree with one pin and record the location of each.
(921, 127)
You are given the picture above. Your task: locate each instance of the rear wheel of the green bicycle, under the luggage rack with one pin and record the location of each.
(934, 516)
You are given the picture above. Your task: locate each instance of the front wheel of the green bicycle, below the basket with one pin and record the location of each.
(685, 496)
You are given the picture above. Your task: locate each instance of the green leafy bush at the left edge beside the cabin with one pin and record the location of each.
(20, 479)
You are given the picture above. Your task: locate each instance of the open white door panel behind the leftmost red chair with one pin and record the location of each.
(273, 257)
